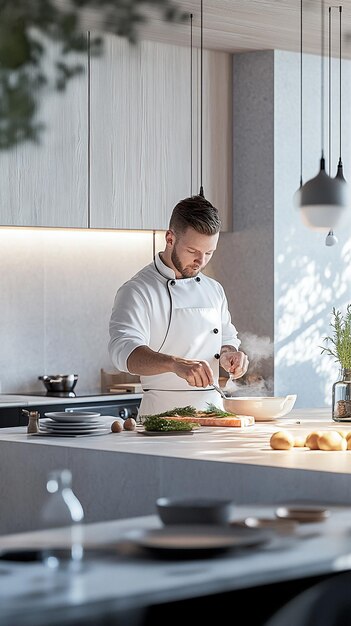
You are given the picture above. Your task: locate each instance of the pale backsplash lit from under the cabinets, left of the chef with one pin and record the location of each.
(57, 290)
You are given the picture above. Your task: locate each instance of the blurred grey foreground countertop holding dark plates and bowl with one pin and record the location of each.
(119, 583)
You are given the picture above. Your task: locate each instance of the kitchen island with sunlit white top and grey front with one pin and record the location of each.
(120, 475)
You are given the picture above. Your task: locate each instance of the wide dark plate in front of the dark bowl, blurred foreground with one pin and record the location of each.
(198, 541)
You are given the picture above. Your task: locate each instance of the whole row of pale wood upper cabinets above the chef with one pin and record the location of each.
(120, 145)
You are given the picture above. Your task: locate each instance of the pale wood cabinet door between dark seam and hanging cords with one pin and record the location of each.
(140, 134)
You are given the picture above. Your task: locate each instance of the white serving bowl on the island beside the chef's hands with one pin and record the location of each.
(263, 408)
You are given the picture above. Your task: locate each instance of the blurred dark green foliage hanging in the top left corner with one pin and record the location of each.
(25, 24)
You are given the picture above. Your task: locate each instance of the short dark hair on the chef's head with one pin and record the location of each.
(195, 212)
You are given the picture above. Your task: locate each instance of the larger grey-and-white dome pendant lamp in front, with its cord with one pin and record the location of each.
(321, 199)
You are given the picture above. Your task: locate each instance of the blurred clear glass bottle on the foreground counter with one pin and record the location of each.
(63, 508)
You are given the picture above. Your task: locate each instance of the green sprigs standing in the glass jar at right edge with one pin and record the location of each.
(339, 343)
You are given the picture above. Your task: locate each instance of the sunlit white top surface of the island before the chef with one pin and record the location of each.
(249, 445)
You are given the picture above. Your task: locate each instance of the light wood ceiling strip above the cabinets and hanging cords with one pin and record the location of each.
(245, 25)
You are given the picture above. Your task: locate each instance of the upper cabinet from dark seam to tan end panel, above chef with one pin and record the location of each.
(145, 138)
